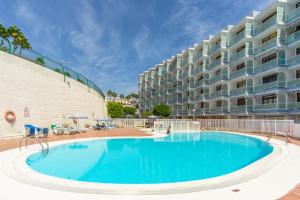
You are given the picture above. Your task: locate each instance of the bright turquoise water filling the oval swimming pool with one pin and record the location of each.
(176, 158)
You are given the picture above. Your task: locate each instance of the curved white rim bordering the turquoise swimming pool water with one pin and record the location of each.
(16, 168)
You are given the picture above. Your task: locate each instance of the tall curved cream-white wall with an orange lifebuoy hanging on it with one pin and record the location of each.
(45, 94)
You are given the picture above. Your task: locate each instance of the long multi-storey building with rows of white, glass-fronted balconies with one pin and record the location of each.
(249, 70)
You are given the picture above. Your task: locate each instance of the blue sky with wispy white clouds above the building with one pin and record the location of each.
(112, 41)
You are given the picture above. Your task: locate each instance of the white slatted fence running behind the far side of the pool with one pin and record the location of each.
(281, 127)
